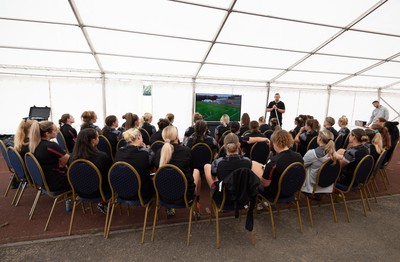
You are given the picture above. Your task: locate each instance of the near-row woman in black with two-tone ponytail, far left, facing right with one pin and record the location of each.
(51, 157)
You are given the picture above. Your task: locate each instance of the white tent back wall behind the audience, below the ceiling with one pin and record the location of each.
(66, 95)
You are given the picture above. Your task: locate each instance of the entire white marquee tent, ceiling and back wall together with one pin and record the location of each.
(324, 57)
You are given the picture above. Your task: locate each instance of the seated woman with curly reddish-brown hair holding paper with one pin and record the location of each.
(270, 173)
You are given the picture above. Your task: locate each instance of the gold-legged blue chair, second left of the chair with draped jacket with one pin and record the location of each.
(126, 186)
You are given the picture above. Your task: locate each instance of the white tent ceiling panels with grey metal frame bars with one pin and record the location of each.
(314, 42)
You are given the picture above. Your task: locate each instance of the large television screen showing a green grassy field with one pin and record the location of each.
(213, 106)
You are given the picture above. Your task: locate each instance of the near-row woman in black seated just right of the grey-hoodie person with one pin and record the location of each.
(350, 158)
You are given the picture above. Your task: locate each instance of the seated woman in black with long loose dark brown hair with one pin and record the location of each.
(86, 148)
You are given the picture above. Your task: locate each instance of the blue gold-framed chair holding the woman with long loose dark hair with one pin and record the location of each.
(87, 186)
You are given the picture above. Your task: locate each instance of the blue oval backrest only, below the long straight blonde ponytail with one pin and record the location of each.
(170, 184)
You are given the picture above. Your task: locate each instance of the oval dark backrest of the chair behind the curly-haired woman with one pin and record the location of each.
(291, 180)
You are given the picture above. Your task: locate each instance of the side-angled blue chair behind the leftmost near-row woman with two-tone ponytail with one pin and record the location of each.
(39, 179)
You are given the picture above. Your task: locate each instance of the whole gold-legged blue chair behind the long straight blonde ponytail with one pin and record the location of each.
(171, 188)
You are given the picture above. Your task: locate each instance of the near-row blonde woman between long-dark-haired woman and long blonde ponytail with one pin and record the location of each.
(139, 157)
